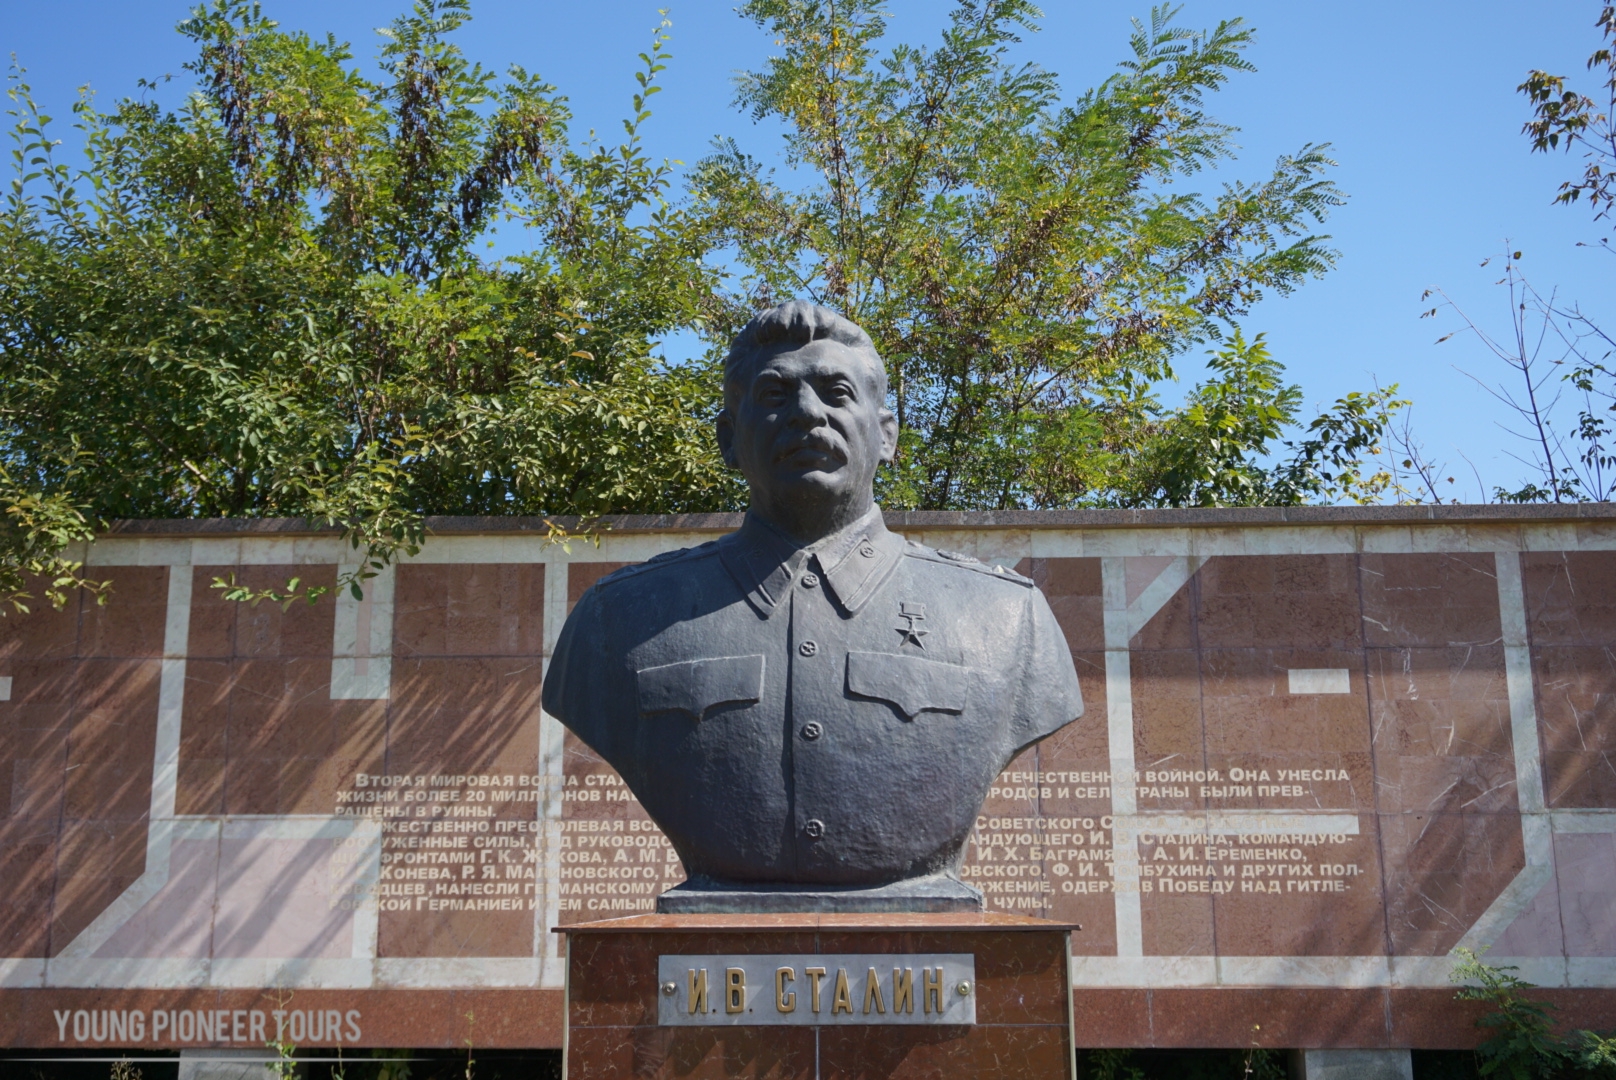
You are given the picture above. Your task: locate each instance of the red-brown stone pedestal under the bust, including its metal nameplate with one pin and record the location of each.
(660, 997)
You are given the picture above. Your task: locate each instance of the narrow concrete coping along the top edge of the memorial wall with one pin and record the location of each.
(1193, 518)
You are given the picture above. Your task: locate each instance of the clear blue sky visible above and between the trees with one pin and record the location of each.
(1418, 101)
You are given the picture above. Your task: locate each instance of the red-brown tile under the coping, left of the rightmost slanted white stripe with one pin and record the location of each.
(1431, 601)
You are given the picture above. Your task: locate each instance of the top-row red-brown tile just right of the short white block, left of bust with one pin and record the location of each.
(469, 610)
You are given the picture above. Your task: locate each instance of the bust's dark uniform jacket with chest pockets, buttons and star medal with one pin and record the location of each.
(828, 715)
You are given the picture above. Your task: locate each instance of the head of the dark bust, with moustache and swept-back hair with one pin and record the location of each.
(806, 418)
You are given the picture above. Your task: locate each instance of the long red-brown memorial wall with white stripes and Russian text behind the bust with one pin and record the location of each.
(1323, 751)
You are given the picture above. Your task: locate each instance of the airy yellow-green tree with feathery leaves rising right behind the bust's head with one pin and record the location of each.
(1029, 269)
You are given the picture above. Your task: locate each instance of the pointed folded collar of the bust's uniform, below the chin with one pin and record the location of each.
(852, 562)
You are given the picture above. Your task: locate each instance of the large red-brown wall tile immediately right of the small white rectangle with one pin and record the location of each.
(1442, 730)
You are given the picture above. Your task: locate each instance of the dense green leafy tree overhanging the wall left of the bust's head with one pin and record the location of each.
(269, 303)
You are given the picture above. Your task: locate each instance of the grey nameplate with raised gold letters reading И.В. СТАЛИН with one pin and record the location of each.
(817, 990)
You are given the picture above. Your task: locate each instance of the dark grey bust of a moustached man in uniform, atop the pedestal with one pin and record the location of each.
(812, 709)
